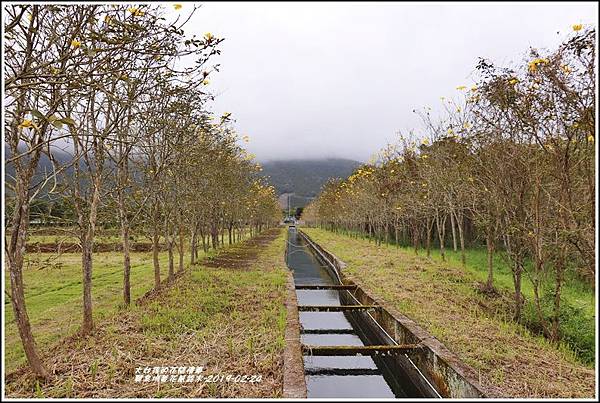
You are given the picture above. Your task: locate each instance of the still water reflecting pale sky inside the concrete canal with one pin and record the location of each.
(338, 376)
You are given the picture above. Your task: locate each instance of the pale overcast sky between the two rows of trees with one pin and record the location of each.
(315, 80)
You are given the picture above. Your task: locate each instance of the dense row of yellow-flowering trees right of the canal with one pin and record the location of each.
(512, 161)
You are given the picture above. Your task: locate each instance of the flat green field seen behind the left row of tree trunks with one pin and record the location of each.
(53, 293)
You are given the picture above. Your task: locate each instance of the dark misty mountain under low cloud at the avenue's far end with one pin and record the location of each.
(304, 177)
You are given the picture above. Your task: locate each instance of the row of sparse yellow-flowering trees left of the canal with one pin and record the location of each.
(114, 97)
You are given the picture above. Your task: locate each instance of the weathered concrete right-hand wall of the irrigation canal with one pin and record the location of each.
(450, 376)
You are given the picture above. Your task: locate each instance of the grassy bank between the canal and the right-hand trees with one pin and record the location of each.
(444, 299)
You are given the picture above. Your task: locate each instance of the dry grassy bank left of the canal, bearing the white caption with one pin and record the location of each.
(229, 319)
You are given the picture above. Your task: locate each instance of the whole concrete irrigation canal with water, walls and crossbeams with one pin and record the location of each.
(353, 347)
